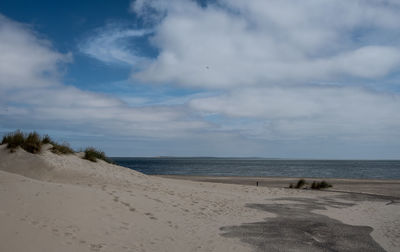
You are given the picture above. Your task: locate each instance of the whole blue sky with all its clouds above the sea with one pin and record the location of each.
(225, 78)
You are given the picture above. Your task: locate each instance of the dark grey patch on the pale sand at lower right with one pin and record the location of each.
(297, 228)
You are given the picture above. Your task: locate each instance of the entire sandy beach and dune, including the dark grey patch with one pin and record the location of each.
(65, 203)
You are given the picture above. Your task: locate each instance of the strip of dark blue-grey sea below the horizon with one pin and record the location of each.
(372, 169)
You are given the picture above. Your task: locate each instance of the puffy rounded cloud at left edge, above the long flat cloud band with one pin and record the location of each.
(26, 59)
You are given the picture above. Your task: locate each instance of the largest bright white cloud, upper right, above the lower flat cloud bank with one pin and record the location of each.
(244, 43)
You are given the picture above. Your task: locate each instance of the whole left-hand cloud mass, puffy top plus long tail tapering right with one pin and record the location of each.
(32, 95)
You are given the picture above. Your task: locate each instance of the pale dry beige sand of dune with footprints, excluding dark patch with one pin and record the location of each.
(65, 203)
